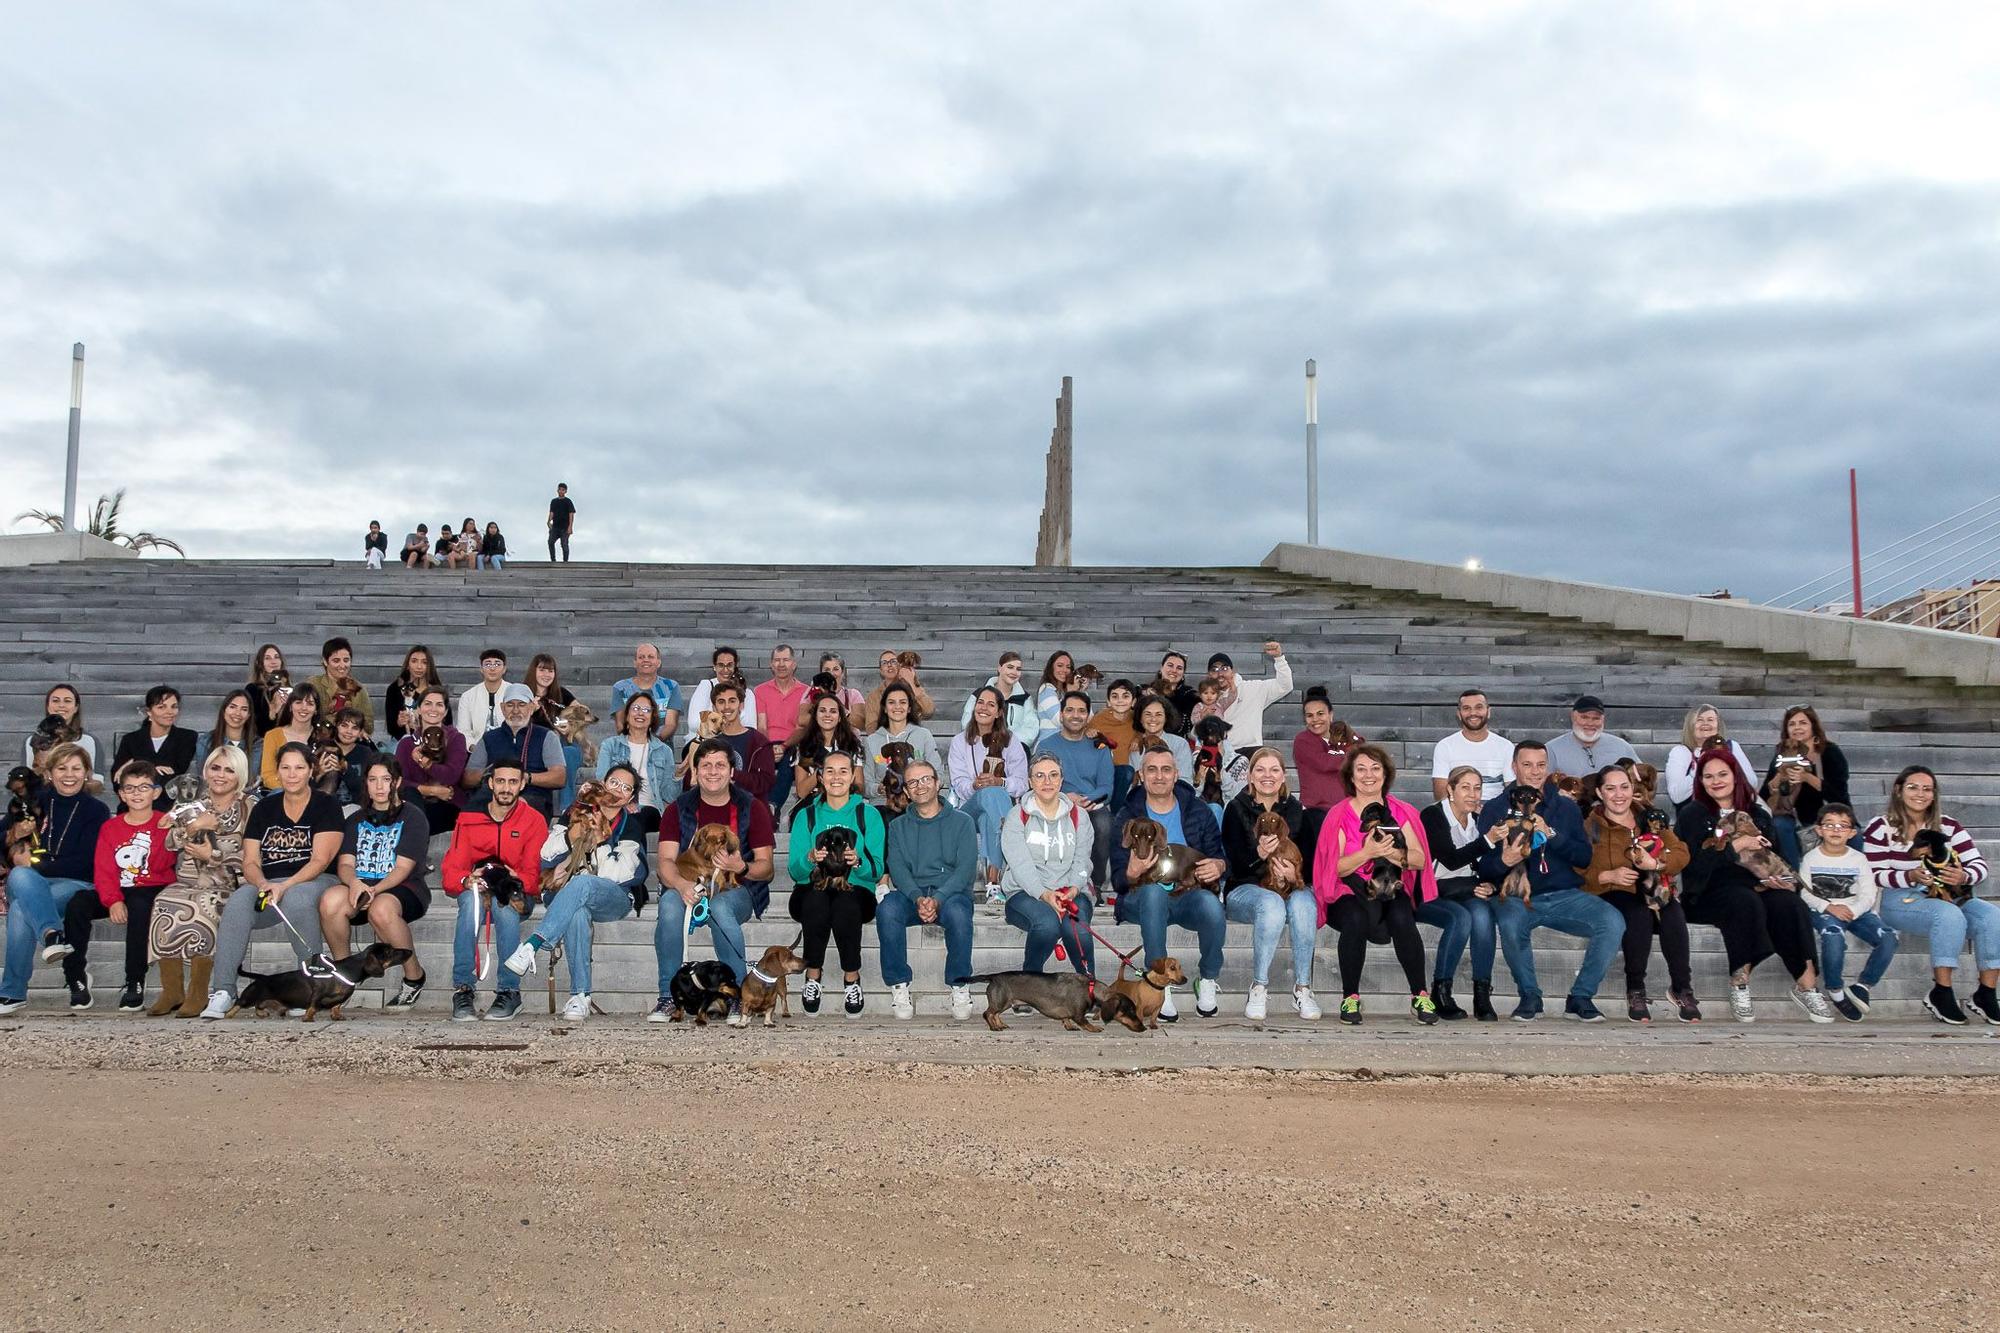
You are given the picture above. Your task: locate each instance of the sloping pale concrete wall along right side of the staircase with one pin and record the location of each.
(1913, 651)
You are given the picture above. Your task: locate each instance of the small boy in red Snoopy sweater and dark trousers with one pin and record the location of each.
(133, 866)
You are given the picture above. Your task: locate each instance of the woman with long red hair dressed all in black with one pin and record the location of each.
(1759, 918)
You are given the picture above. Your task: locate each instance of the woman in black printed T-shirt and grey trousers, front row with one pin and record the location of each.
(289, 854)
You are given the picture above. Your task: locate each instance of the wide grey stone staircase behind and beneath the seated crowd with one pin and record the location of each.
(1393, 661)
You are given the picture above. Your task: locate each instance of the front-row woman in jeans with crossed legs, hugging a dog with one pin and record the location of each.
(607, 886)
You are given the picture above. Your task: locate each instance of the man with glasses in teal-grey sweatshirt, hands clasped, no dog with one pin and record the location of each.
(931, 854)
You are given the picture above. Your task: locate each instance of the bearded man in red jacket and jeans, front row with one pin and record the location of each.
(511, 830)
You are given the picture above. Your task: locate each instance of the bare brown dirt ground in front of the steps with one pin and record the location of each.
(435, 1190)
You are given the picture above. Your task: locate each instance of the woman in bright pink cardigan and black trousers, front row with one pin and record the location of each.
(1343, 878)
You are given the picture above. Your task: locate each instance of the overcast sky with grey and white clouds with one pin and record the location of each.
(1597, 291)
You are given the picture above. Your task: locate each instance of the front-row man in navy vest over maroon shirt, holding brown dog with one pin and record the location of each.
(715, 800)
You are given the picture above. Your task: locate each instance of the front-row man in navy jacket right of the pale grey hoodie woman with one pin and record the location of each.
(1165, 800)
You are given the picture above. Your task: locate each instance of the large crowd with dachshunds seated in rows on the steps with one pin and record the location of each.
(295, 816)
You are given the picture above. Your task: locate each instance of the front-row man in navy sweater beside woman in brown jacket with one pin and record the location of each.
(1557, 892)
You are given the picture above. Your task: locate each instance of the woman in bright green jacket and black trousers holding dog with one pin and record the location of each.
(845, 910)
